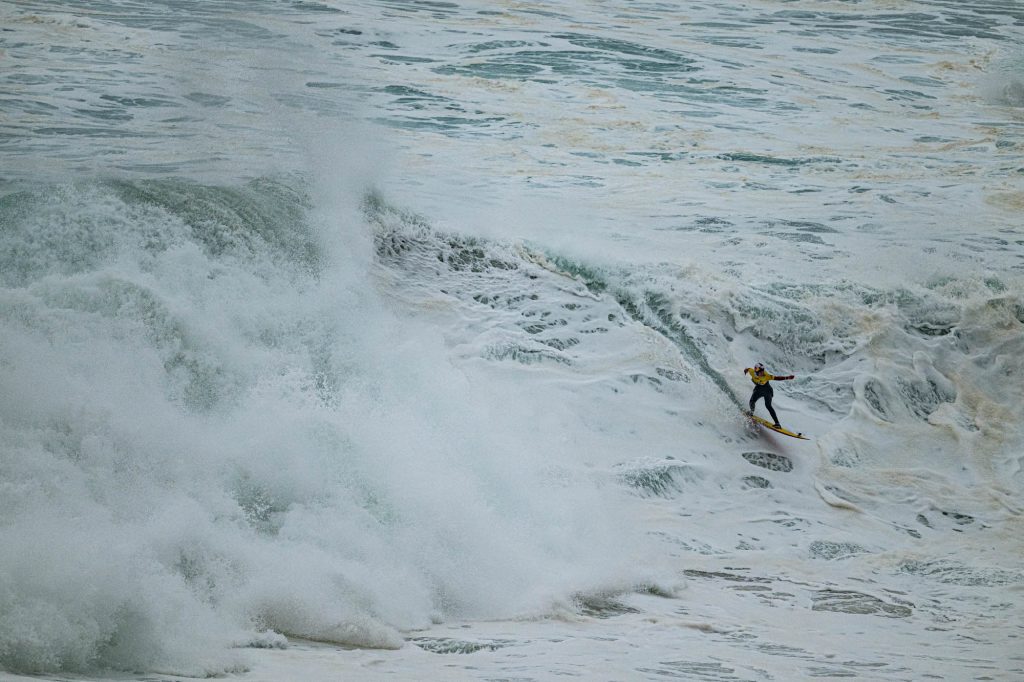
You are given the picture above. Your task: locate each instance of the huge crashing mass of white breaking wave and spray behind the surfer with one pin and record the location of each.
(207, 436)
